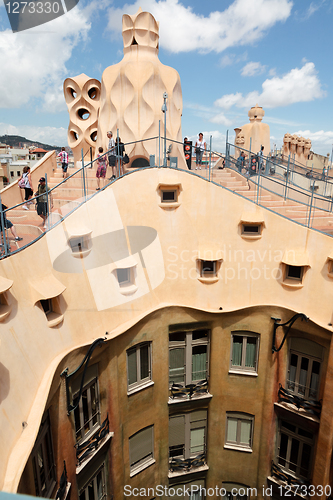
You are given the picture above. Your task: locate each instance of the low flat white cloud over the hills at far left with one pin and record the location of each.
(48, 135)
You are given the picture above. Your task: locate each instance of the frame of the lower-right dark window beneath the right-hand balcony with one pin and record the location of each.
(301, 440)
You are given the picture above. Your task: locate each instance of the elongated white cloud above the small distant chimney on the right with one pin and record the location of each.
(299, 85)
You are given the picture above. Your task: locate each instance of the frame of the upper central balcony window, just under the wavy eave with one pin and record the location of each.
(188, 345)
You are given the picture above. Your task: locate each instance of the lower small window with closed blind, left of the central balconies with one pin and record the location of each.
(141, 450)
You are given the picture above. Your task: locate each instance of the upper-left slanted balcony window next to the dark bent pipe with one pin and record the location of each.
(87, 414)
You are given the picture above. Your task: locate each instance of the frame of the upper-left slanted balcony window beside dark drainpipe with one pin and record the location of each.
(79, 411)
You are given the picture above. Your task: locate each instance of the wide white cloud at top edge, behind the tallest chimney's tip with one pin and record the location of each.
(182, 30)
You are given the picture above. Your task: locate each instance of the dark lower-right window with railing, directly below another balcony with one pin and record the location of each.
(295, 447)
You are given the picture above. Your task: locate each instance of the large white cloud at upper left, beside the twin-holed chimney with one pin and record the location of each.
(33, 62)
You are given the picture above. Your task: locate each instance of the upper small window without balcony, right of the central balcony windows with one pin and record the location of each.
(244, 352)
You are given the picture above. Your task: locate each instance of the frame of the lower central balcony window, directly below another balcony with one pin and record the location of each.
(188, 427)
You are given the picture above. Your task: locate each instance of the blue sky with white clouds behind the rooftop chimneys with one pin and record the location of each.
(230, 55)
